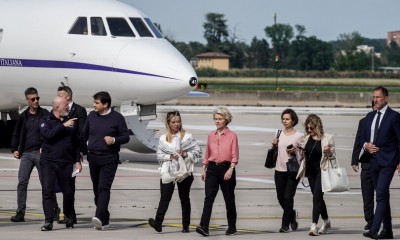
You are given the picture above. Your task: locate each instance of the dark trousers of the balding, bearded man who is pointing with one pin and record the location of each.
(50, 172)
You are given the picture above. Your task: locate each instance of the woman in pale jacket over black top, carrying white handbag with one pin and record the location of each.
(318, 150)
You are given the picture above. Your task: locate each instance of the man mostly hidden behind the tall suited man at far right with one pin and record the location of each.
(367, 186)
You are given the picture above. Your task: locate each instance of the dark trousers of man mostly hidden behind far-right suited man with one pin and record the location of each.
(367, 190)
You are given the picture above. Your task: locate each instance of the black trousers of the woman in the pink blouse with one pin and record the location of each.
(215, 180)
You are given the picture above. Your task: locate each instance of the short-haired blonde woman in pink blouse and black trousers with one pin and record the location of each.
(222, 155)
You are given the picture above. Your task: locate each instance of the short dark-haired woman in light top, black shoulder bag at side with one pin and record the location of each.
(285, 181)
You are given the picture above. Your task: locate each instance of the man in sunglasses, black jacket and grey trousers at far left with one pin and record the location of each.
(25, 145)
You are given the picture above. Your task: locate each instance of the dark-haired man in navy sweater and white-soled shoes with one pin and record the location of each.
(104, 131)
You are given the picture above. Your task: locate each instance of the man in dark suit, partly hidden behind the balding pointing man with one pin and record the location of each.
(79, 112)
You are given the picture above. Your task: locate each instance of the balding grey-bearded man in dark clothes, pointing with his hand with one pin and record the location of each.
(60, 151)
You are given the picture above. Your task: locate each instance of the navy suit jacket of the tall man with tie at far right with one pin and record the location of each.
(388, 138)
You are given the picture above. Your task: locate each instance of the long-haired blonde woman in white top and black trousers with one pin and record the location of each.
(177, 153)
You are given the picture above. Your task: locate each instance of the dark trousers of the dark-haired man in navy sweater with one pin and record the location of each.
(102, 173)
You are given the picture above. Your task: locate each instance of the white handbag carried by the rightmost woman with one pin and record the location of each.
(334, 178)
